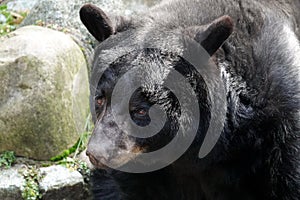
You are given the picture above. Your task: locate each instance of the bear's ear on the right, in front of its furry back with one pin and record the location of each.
(212, 36)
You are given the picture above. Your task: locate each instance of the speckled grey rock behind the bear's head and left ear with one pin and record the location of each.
(64, 15)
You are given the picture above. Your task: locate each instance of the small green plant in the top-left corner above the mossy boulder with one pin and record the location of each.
(12, 19)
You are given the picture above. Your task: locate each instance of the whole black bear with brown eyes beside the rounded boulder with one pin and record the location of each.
(254, 51)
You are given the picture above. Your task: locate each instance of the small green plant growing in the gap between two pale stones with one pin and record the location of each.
(31, 189)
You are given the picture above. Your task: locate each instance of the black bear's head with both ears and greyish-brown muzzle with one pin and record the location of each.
(140, 74)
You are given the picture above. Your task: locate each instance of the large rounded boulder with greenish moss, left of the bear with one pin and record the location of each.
(43, 93)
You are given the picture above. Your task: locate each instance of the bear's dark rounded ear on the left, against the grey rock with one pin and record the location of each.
(96, 21)
